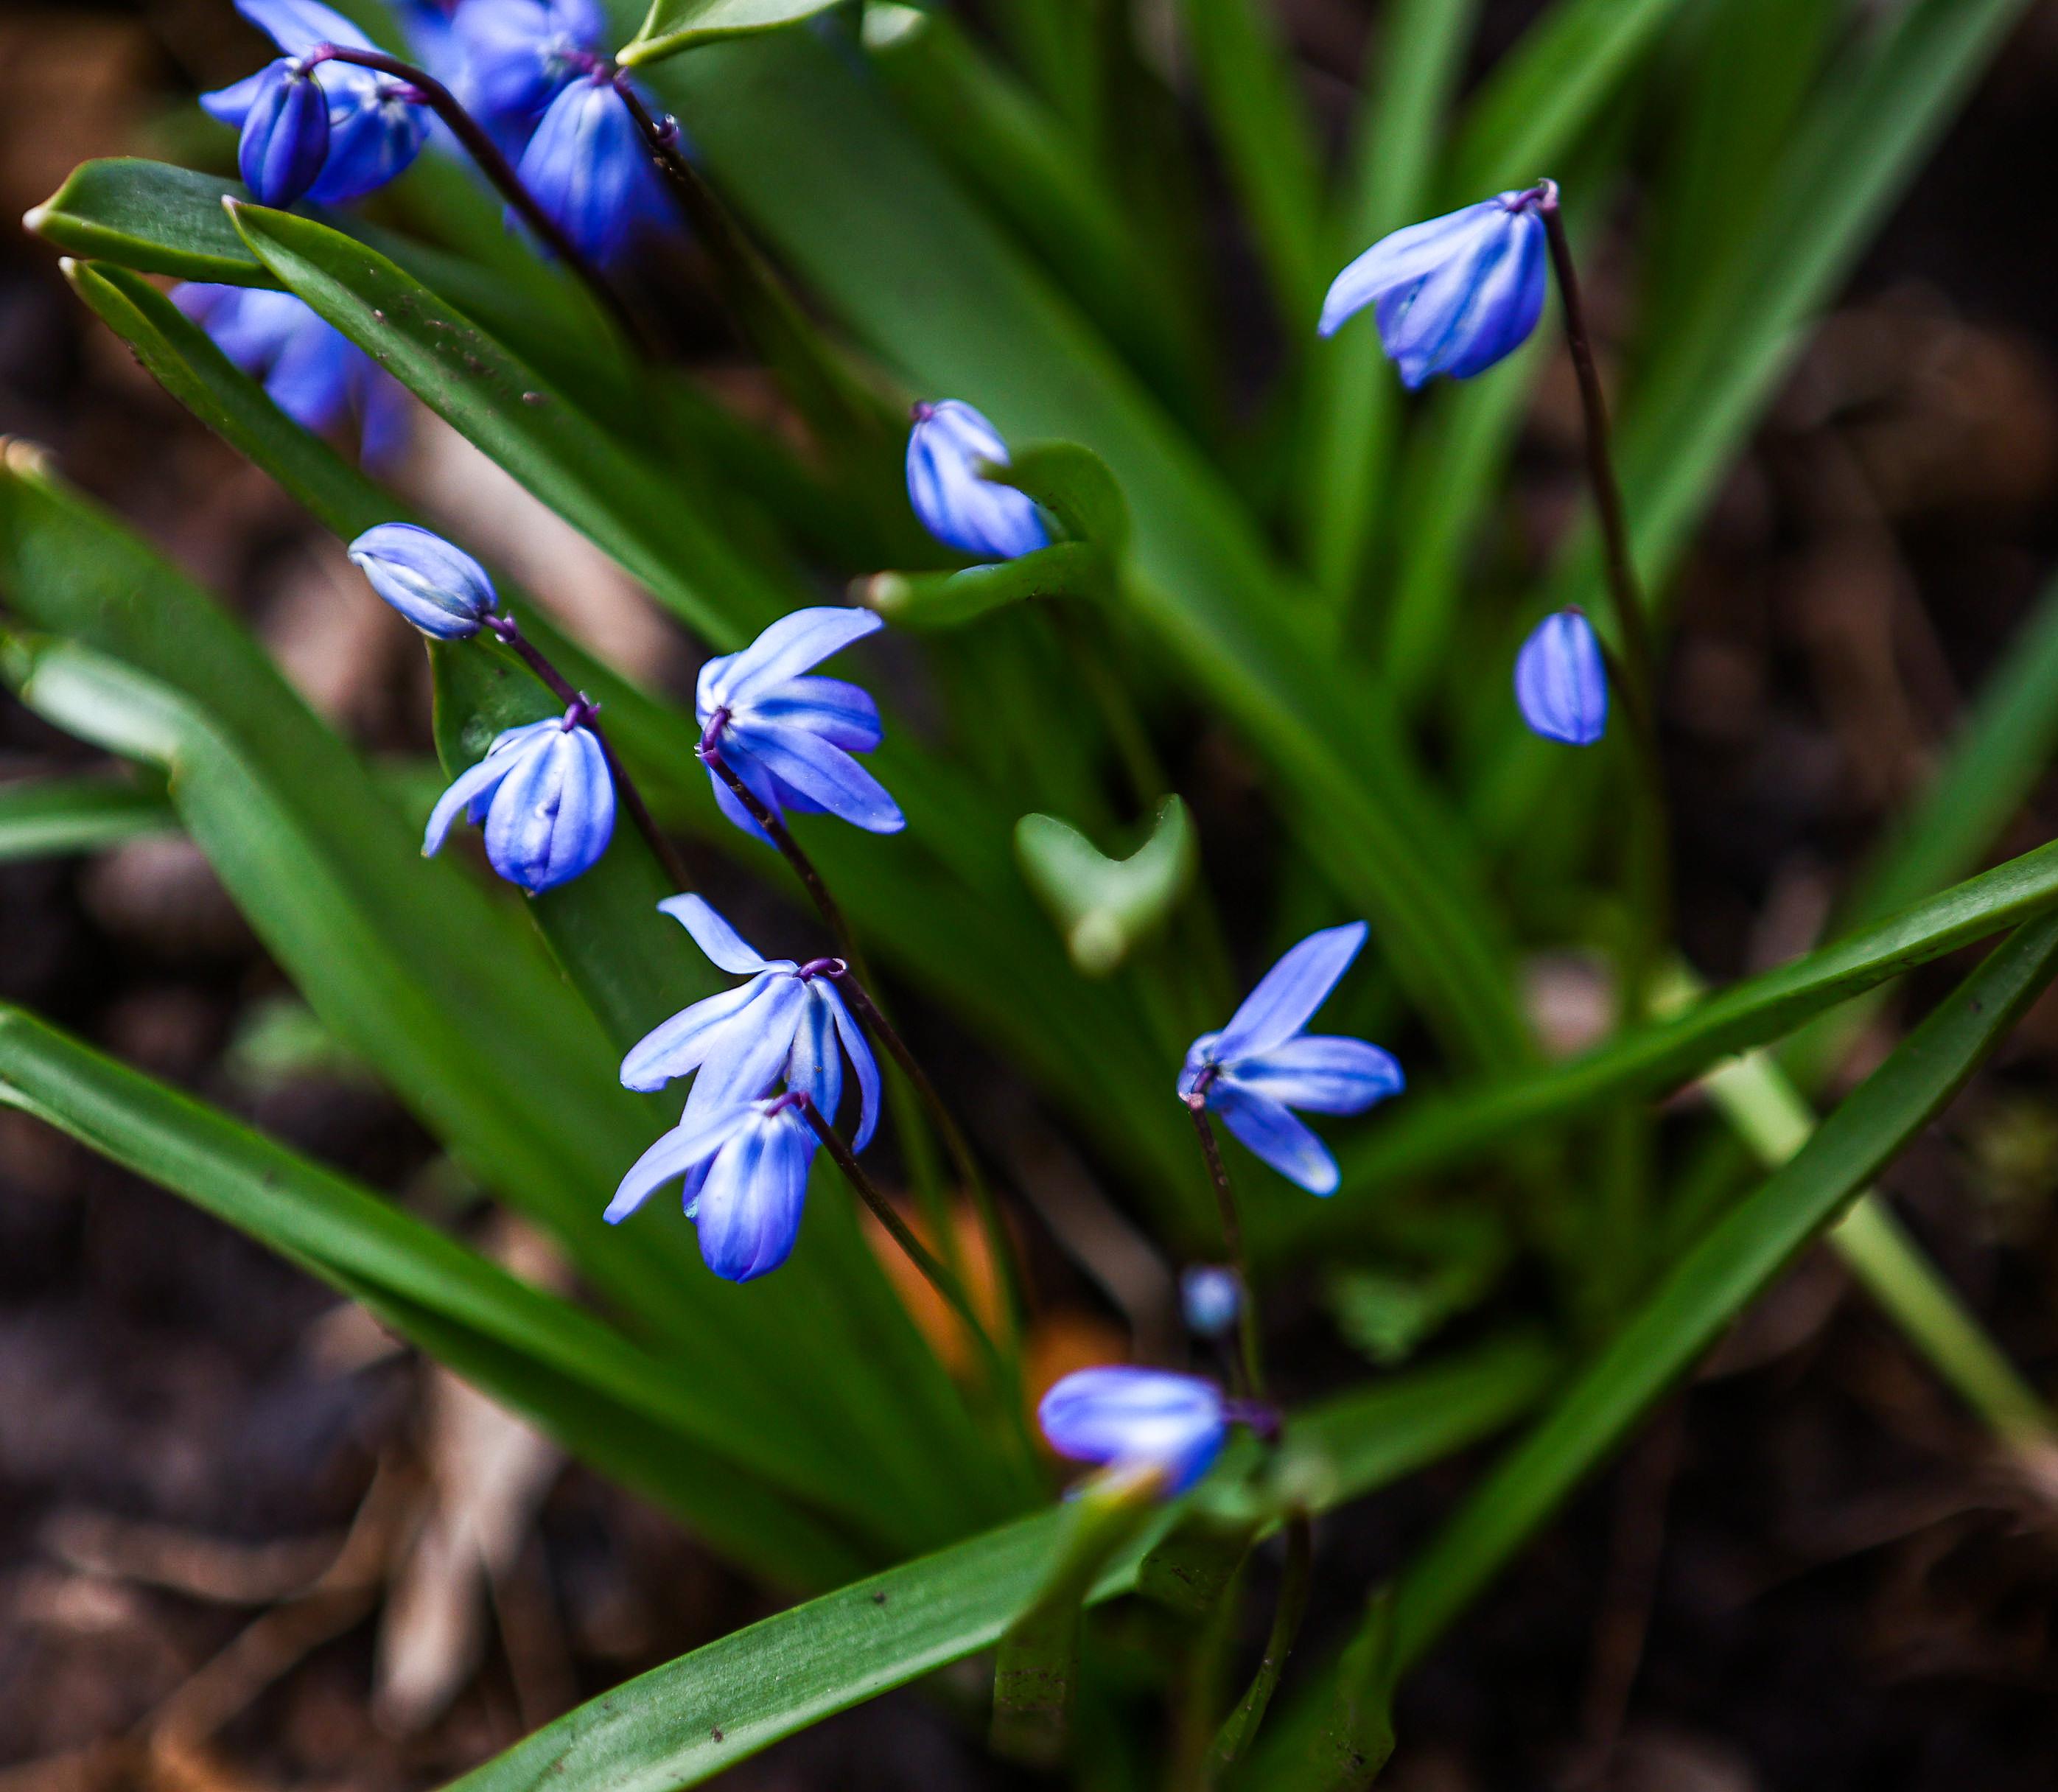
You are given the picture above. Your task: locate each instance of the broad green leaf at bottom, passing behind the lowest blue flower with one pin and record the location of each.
(701, 1715)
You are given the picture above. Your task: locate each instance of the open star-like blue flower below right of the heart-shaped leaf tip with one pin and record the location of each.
(1265, 1063)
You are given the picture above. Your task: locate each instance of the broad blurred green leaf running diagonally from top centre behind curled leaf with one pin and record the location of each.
(853, 205)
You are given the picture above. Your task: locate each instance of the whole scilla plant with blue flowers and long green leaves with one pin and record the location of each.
(958, 657)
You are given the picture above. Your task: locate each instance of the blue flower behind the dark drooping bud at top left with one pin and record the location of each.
(376, 129)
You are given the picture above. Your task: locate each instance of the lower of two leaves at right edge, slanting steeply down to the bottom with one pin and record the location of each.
(1682, 1318)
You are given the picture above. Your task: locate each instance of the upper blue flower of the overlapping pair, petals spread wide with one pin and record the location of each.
(785, 1024)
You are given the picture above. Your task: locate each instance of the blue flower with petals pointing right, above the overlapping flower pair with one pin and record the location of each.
(789, 738)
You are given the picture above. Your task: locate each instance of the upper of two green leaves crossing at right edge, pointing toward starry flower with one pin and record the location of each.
(1440, 1133)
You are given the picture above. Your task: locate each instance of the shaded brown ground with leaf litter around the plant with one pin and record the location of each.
(1847, 1593)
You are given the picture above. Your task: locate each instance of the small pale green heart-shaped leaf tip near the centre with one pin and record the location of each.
(1108, 906)
